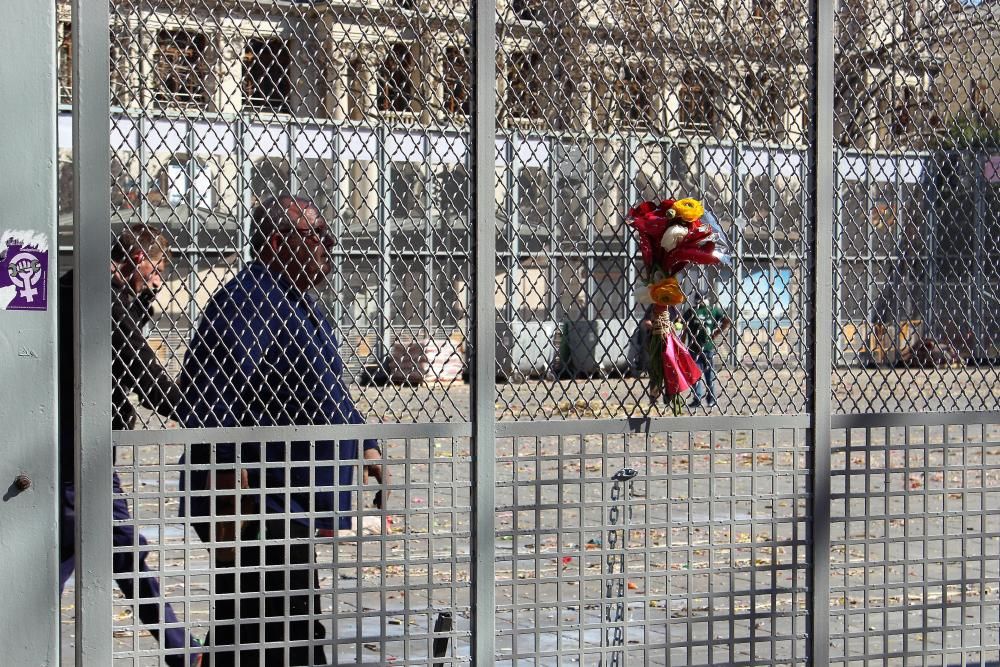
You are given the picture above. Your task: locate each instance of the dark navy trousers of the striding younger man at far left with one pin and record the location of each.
(124, 535)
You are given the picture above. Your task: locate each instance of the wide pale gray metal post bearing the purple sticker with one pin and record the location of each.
(29, 621)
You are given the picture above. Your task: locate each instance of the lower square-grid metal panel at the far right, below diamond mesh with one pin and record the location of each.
(916, 545)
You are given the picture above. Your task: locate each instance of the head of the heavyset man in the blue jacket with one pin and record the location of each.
(290, 236)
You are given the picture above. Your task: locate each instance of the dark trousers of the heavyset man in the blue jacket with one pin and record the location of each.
(279, 593)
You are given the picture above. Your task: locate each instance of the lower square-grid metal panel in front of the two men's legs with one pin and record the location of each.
(367, 586)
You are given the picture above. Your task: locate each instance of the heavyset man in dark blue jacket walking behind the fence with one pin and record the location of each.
(264, 355)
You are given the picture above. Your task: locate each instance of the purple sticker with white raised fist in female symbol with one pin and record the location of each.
(24, 266)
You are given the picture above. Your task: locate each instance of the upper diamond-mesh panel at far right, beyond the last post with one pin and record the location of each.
(916, 123)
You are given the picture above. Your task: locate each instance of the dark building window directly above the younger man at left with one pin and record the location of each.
(179, 67)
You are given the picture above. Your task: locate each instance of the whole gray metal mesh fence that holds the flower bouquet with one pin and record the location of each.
(627, 537)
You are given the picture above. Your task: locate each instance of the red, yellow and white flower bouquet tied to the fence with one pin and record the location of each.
(673, 234)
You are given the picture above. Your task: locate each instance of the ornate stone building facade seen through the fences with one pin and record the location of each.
(365, 106)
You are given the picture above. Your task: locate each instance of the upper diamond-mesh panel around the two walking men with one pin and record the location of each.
(360, 107)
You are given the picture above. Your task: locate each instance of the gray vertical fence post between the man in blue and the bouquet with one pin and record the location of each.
(484, 373)
